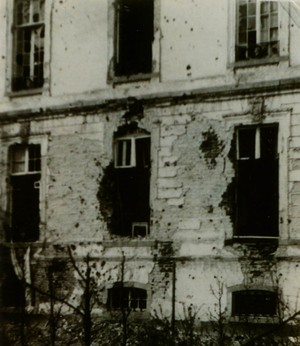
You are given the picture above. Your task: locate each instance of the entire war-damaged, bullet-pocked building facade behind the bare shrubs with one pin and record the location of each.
(160, 139)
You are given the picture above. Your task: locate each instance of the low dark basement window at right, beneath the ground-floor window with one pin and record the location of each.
(254, 302)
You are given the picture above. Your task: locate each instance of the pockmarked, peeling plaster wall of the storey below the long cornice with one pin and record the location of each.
(190, 172)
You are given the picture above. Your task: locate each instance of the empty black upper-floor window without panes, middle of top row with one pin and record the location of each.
(133, 37)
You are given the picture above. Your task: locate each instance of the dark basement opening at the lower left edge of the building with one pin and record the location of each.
(12, 291)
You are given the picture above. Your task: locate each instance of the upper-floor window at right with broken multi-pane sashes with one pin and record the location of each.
(257, 29)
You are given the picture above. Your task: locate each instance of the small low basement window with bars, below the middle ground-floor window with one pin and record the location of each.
(129, 298)
